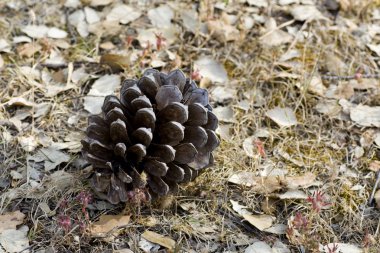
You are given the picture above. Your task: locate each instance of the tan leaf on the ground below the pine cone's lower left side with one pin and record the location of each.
(107, 223)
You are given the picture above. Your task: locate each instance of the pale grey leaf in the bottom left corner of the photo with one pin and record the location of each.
(13, 240)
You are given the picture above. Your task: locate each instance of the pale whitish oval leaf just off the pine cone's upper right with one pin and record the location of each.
(211, 69)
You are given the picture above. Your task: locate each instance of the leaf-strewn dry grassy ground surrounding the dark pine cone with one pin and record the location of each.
(295, 84)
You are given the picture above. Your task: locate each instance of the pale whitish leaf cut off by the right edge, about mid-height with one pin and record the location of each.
(365, 115)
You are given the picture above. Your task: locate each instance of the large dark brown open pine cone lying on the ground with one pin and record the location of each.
(160, 133)
